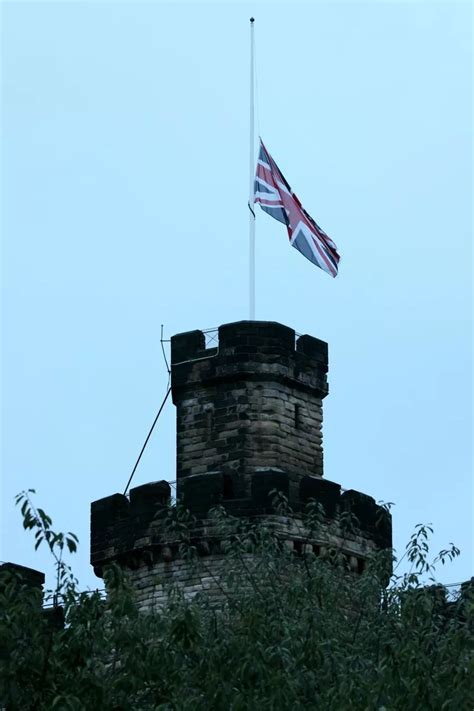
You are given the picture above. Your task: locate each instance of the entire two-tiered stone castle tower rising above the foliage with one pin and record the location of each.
(249, 420)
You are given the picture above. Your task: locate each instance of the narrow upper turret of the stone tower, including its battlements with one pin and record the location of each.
(255, 401)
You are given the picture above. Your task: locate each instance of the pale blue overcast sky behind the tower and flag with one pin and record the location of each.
(124, 169)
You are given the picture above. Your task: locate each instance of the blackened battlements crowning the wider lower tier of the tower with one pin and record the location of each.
(132, 531)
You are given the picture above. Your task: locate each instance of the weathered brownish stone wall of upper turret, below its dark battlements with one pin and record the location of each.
(247, 427)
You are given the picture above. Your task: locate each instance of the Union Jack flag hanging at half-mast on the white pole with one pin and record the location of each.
(275, 196)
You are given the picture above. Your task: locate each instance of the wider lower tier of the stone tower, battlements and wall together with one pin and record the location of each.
(133, 532)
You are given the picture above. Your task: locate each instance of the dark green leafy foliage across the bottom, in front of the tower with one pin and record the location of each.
(290, 632)
